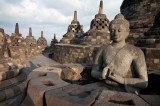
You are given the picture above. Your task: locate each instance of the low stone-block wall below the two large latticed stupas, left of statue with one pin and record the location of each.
(75, 53)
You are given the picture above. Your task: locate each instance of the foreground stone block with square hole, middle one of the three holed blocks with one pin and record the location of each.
(38, 86)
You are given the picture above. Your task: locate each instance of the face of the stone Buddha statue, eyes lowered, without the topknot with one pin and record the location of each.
(119, 32)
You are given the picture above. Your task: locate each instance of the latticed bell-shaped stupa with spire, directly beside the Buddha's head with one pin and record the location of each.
(98, 32)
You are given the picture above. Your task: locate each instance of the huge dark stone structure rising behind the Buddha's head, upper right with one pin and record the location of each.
(141, 14)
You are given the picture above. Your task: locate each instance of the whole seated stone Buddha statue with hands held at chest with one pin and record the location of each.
(120, 64)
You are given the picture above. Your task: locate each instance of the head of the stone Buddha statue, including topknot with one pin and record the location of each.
(119, 28)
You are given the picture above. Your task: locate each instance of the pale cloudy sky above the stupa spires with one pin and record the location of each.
(51, 16)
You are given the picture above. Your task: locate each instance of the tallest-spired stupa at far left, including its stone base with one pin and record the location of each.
(17, 45)
